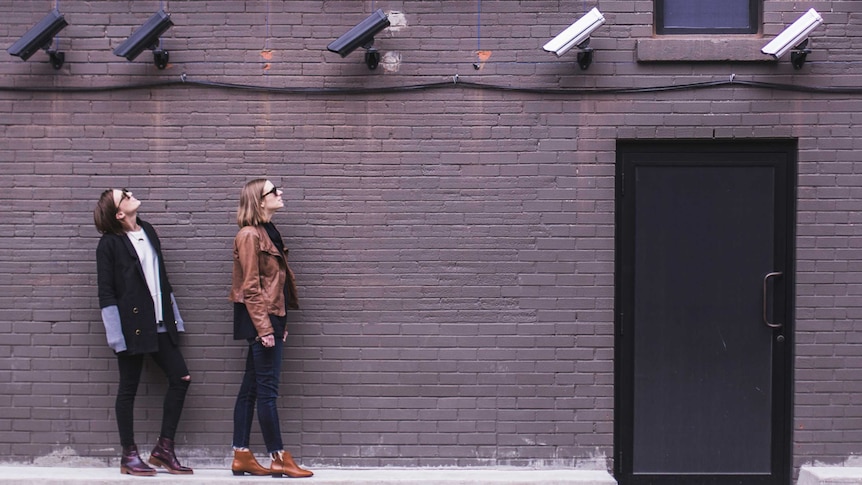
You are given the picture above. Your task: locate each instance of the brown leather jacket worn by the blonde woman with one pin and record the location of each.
(259, 276)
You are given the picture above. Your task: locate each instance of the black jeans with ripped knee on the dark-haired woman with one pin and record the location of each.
(171, 361)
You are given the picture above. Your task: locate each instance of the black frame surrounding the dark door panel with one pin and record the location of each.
(782, 412)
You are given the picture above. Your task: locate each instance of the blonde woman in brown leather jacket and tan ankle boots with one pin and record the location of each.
(262, 288)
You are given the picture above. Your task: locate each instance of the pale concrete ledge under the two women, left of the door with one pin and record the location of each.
(31, 475)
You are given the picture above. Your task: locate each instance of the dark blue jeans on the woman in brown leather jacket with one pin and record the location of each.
(259, 385)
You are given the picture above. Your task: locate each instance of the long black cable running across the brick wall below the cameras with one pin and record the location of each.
(455, 83)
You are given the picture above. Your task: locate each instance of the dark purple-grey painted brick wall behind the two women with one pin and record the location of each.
(454, 246)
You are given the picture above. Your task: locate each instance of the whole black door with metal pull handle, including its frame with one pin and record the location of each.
(704, 312)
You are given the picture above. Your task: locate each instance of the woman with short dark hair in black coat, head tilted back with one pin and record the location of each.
(141, 318)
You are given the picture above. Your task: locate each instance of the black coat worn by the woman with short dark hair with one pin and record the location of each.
(122, 283)
